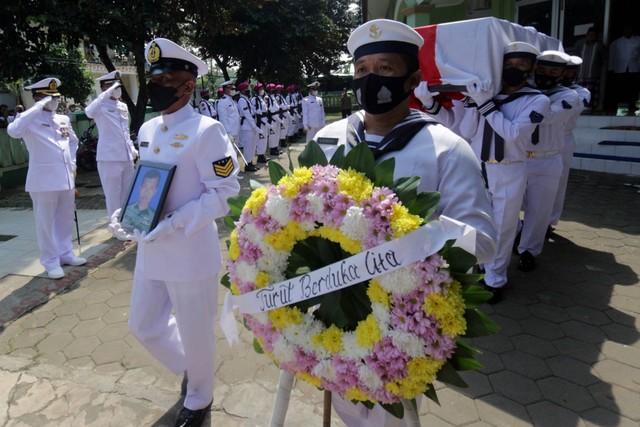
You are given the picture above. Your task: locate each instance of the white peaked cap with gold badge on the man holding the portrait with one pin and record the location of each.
(164, 56)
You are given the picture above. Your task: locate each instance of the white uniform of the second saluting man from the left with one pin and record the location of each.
(116, 152)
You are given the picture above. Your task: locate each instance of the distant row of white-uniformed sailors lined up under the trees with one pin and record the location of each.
(268, 120)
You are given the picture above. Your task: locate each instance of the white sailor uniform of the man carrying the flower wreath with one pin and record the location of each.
(446, 164)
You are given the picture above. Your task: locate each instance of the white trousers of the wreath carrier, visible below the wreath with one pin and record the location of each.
(359, 416)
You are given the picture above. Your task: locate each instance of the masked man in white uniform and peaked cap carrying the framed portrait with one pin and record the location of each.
(178, 262)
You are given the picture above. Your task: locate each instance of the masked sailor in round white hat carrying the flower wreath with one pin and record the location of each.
(420, 147)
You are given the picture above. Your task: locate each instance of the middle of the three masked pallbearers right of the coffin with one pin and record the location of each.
(544, 159)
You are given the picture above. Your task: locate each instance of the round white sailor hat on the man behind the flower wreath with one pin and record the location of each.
(384, 35)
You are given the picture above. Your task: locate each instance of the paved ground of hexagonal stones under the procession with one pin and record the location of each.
(568, 353)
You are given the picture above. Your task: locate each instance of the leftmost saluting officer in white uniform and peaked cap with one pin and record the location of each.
(52, 147)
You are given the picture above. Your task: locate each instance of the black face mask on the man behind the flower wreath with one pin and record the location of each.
(378, 94)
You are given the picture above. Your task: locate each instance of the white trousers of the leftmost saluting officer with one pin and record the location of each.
(54, 213)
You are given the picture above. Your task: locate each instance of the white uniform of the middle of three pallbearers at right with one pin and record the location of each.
(544, 169)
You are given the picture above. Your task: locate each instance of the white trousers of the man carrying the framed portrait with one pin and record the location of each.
(184, 341)
